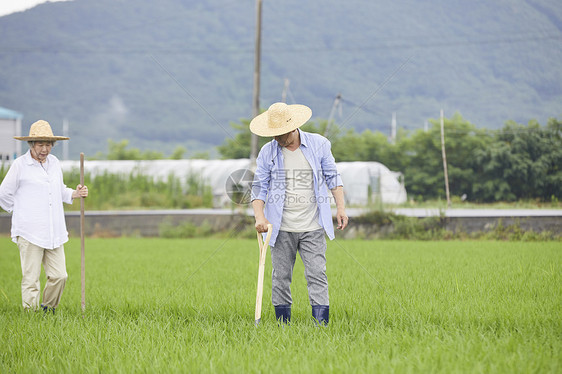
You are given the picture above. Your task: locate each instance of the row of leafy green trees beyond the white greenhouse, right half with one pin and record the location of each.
(518, 162)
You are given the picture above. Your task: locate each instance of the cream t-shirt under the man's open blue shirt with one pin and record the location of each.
(300, 211)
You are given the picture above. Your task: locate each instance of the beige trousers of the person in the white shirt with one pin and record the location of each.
(55, 269)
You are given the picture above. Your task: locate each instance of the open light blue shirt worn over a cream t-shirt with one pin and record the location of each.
(269, 180)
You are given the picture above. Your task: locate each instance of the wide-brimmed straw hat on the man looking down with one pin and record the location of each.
(280, 119)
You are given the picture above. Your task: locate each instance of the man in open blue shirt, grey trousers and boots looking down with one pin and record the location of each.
(290, 190)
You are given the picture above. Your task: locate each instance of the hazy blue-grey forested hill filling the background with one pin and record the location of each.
(177, 72)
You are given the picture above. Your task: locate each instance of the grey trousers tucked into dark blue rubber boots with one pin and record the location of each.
(312, 249)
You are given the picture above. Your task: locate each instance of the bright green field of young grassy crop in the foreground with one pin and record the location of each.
(168, 305)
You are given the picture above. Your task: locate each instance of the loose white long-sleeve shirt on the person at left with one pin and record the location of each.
(34, 193)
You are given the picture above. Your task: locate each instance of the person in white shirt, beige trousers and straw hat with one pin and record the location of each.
(33, 190)
